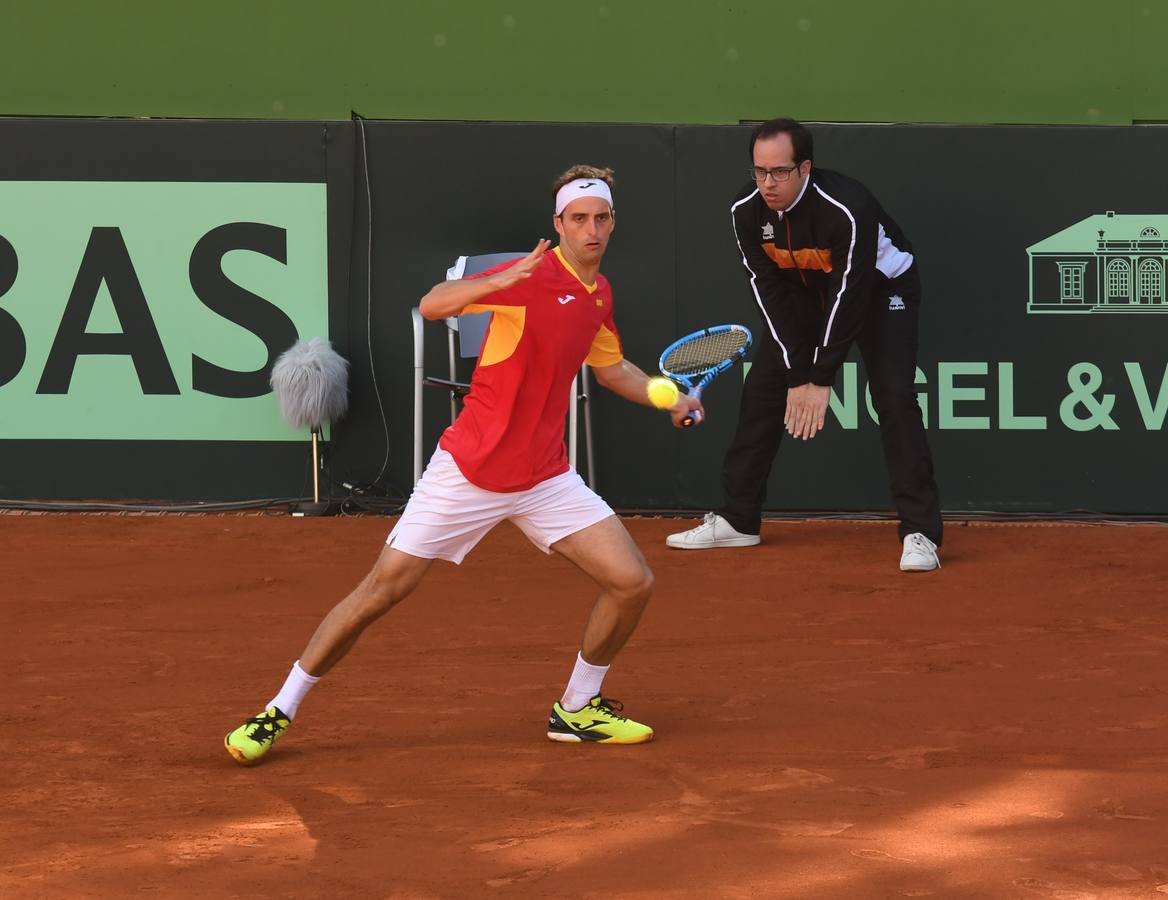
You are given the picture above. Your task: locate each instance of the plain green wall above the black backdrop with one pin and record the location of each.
(999, 61)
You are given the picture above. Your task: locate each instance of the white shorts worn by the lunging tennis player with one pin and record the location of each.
(448, 515)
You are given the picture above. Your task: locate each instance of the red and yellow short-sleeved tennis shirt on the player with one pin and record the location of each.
(511, 434)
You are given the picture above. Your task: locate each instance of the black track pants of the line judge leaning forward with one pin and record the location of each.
(888, 346)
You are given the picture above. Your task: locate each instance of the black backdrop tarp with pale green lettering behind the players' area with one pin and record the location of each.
(971, 199)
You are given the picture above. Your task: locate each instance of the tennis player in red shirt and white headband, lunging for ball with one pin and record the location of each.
(505, 459)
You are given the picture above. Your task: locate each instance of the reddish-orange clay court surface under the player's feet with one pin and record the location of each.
(828, 727)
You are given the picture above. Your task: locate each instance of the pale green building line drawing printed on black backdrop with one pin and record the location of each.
(1108, 263)
